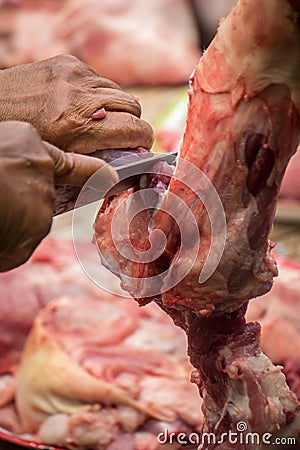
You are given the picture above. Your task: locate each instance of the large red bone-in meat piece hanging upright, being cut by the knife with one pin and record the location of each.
(242, 128)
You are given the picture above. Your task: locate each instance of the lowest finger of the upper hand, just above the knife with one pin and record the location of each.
(115, 130)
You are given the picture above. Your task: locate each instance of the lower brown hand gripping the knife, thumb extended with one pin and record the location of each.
(29, 169)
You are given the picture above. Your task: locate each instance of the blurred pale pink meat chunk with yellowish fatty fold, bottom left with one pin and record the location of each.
(104, 361)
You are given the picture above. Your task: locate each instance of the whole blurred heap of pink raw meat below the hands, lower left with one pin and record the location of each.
(97, 372)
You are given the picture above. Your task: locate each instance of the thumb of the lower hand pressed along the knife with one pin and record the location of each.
(74, 169)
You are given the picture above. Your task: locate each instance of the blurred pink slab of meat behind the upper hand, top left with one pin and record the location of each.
(131, 42)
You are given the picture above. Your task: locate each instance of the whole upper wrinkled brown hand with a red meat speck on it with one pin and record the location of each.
(59, 95)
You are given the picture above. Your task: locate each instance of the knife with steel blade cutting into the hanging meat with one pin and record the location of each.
(129, 168)
